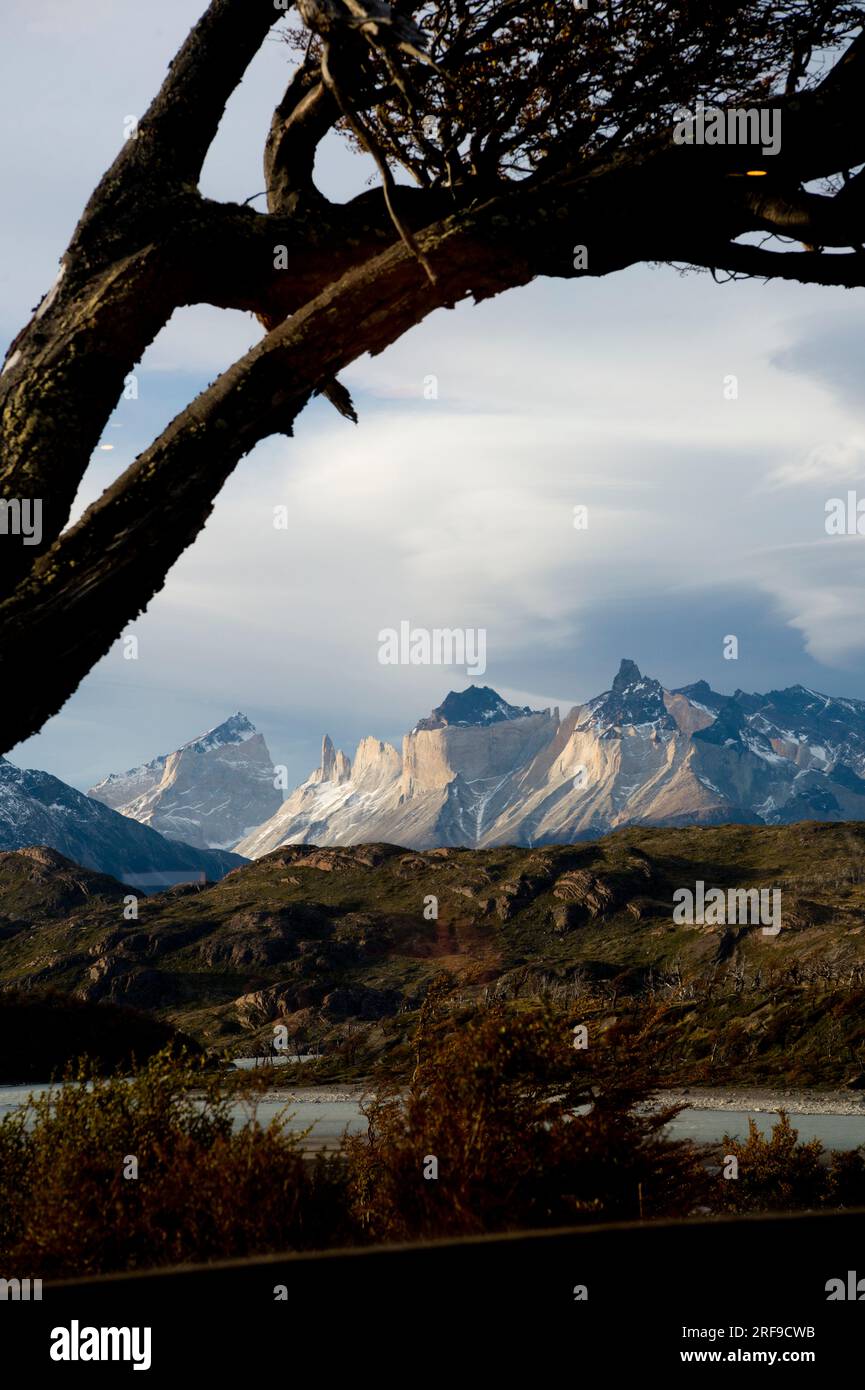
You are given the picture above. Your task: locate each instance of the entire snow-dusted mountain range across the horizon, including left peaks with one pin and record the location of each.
(478, 772)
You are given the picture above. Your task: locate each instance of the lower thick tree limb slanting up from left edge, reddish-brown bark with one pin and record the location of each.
(104, 572)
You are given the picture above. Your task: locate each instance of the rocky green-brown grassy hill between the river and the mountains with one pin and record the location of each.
(341, 946)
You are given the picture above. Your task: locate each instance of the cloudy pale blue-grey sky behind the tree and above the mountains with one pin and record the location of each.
(451, 505)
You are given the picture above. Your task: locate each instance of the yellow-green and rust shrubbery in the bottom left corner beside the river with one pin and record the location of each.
(120, 1174)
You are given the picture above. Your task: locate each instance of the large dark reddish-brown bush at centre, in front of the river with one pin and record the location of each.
(506, 1125)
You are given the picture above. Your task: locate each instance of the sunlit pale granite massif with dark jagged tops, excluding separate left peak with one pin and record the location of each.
(479, 772)
